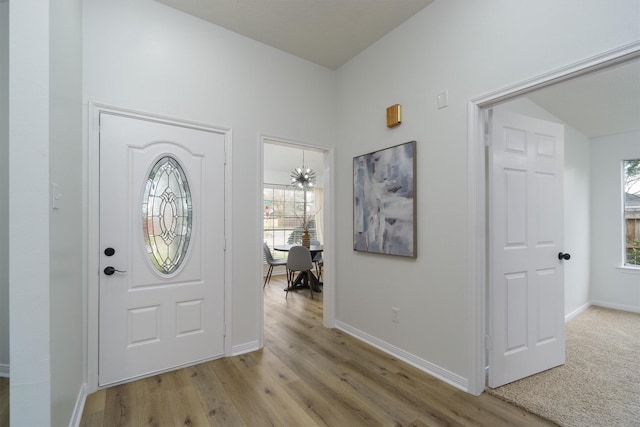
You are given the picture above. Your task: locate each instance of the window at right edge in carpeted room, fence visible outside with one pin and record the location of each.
(631, 186)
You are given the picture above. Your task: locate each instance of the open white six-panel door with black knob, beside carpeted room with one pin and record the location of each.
(526, 284)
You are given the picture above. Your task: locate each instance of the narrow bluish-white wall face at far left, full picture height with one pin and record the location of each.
(29, 212)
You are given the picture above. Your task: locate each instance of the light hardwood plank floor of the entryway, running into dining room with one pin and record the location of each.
(306, 375)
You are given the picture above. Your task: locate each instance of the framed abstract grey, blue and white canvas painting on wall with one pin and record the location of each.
(384, 208)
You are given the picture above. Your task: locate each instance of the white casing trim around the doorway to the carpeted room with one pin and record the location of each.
(477, 226)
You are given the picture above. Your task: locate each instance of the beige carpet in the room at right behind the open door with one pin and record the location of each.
(600, 383)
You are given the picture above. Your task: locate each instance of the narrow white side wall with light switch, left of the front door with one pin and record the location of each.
(66, 229)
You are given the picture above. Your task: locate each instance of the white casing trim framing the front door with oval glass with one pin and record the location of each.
(92, 173)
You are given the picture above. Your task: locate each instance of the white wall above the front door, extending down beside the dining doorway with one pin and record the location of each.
(146, 56)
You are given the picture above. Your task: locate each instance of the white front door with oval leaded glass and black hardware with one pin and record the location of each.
(161, 295)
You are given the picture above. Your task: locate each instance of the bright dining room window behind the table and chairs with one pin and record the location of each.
(284, 216)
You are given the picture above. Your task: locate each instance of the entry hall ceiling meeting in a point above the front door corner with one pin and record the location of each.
(326, 32)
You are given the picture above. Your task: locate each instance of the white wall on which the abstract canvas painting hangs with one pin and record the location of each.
(470, 49)
